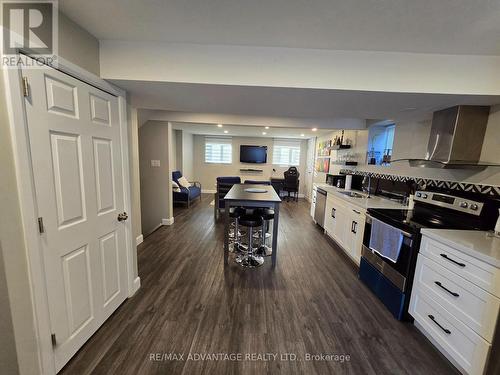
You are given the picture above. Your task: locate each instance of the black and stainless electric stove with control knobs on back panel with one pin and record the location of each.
(392, 281)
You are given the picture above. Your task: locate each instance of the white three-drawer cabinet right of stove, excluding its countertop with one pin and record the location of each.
(452, 308)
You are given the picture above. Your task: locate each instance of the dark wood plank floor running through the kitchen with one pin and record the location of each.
(311, 303)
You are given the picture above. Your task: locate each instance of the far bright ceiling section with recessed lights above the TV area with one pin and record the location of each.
(248, 131)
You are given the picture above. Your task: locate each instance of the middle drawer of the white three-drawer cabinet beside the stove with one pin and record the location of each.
(472, 305)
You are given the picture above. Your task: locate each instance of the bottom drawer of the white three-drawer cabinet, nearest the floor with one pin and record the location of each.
(459, 342)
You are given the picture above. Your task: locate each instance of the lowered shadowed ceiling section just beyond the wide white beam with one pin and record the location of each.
(298, 103)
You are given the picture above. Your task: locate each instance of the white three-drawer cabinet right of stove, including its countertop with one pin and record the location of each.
(456, 295)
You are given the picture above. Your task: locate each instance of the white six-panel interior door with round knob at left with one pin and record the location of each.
(74, 135)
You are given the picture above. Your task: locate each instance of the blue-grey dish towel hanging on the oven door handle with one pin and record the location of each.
(386, 240)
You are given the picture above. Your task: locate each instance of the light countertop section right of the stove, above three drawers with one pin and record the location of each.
(471, 242)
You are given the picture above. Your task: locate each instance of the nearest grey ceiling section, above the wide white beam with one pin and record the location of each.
(425, 26)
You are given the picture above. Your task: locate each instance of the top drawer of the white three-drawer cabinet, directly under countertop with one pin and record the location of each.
(480, 273)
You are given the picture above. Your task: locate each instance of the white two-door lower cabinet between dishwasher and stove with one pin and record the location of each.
(345, 223)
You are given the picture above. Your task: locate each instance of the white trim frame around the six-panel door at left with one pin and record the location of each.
(18, 125)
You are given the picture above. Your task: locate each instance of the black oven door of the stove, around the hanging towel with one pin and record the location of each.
(398, 273)
